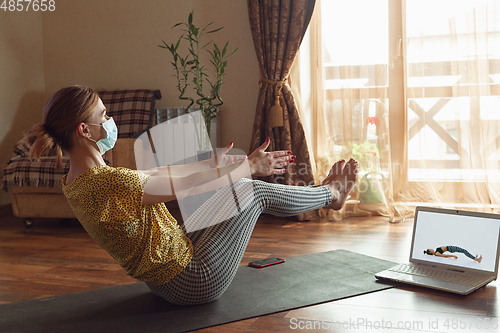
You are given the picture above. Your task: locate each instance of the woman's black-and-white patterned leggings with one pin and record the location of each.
(219, 248)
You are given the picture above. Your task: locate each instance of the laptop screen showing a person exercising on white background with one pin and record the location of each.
(459, 235)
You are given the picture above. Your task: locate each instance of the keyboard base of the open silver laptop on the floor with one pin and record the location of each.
(439, 274)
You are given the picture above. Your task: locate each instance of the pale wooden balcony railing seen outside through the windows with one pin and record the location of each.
(430, 89)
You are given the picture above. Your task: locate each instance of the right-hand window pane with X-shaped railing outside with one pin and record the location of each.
(453, 62)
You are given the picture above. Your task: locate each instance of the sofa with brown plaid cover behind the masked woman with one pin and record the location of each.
(35, 186)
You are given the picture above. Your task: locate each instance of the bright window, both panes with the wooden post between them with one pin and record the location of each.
(432, 64)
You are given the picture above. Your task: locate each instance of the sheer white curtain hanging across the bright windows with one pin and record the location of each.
(449, 57)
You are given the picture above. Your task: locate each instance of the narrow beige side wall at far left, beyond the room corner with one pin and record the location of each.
(21, 80)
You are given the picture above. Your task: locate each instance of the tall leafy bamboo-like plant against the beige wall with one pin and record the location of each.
(190, 72)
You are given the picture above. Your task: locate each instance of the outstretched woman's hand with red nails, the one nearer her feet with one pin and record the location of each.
(264, 163)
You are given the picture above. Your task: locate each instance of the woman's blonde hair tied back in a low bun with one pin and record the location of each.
(62, 114)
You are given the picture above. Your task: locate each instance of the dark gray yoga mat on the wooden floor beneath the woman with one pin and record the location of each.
(300, 281)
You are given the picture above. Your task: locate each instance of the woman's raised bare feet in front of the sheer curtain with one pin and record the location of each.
(341, 184)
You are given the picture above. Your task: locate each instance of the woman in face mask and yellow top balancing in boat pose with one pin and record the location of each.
(123, 210)
